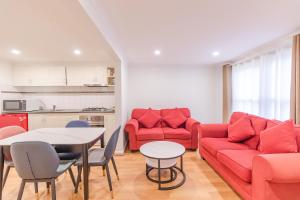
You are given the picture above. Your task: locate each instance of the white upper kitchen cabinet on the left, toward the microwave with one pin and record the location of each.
(39, 76)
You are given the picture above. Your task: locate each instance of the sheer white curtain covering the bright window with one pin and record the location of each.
(261, 85)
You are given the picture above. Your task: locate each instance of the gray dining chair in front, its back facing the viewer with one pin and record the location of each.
(37, 162)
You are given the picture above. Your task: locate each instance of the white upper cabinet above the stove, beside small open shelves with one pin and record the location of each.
(79, 76)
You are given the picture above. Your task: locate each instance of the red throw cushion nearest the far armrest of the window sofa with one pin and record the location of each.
(240, 130)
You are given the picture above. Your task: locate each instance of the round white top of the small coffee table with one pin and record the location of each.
(162, 150)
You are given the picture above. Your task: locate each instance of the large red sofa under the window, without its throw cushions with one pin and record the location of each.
(252, 174)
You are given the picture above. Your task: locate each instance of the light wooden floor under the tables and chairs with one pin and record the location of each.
(201, 183)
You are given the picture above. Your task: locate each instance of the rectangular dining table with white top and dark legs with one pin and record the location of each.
(79, 140)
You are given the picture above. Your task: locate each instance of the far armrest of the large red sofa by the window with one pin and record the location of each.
(213, 130)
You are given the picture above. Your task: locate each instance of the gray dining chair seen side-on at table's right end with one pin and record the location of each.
(101, 157)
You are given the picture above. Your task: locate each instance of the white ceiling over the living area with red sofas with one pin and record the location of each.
(189, 31)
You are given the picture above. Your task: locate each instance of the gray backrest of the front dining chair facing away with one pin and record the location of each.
(34, 160)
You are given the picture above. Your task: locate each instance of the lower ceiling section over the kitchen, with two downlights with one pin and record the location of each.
(50, 31)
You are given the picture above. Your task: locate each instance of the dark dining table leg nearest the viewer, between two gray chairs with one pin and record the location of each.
(85, 172)
